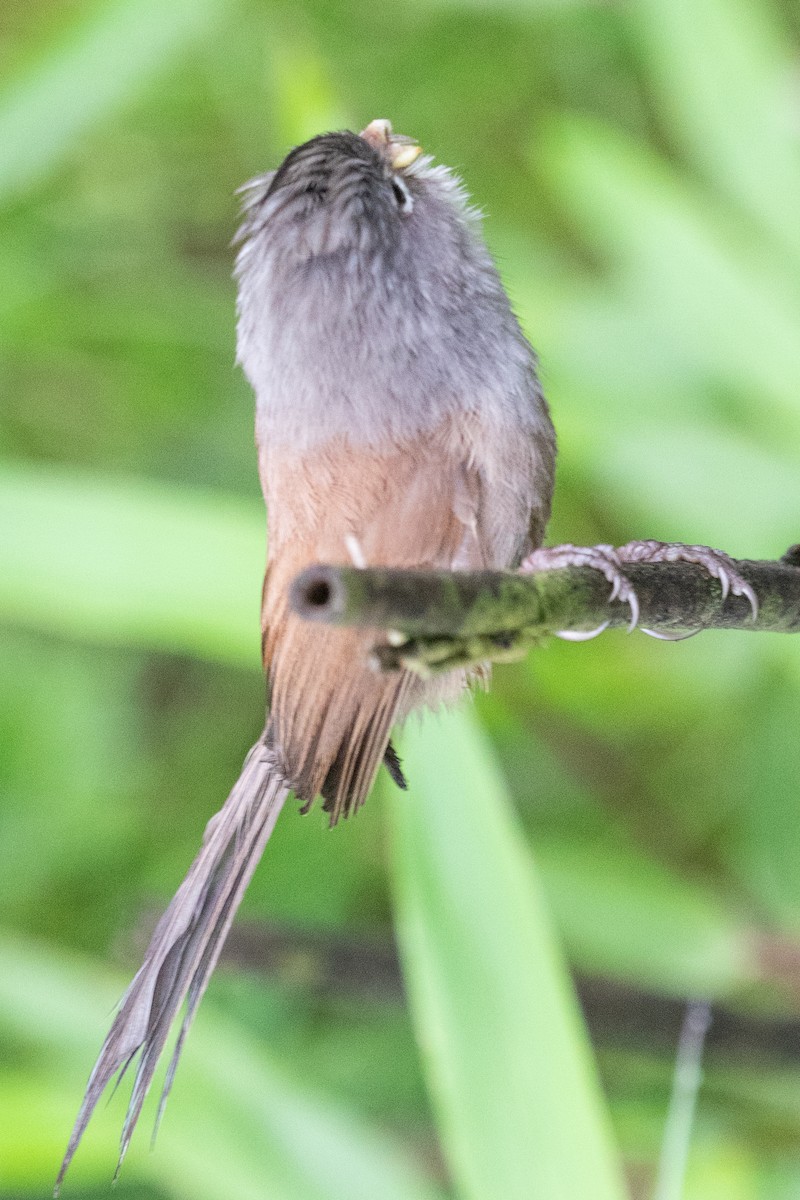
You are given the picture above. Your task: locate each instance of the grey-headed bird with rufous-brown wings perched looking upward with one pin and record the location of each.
(400, 422)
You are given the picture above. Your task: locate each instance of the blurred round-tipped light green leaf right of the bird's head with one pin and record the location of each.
(693, 279)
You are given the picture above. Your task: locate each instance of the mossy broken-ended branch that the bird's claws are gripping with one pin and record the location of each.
(437, 621)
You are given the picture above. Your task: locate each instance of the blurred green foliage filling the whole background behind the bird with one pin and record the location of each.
(640, 167)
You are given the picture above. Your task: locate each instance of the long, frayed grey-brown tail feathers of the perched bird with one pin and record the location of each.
(187, 945)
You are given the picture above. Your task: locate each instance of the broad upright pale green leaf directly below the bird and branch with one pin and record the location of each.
(508, 1058)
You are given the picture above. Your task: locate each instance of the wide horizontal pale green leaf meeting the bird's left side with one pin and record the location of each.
(131, 563)
